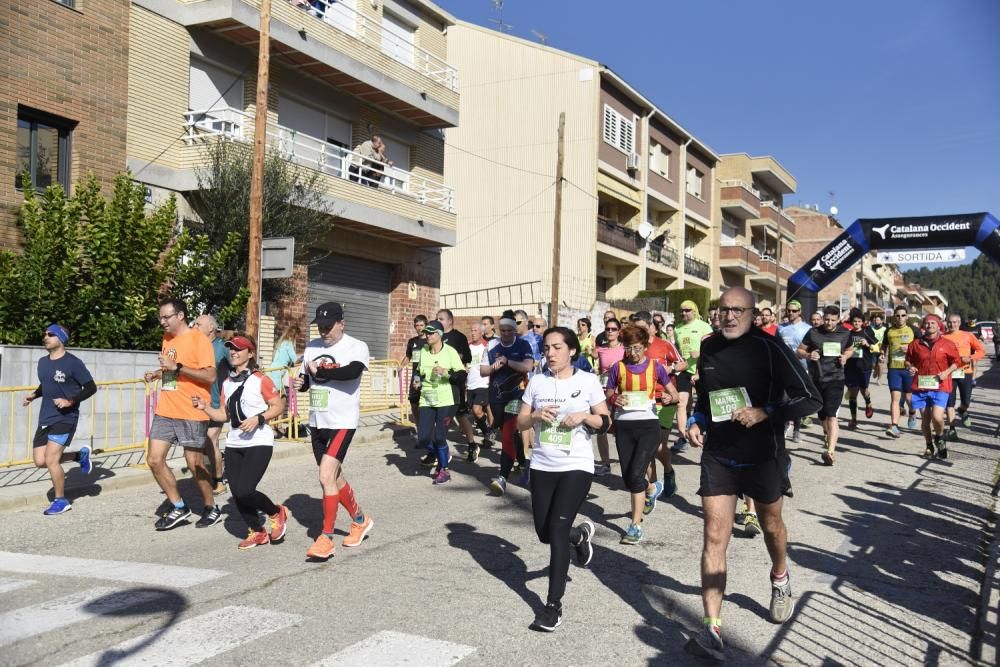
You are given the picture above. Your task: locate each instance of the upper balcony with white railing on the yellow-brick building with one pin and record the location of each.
(317, 34)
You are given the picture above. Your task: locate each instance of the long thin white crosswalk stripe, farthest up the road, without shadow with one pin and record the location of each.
(152, 574)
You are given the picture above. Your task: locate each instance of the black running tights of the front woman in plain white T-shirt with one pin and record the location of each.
(556, 498)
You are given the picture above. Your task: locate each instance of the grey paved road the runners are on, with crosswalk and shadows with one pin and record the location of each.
(887, 551)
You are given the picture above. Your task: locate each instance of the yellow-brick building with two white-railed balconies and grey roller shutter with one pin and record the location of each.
(341, 72)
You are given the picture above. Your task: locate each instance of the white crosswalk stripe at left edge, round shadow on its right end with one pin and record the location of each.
(47, 616)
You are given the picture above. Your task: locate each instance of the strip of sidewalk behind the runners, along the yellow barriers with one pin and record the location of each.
(24, 486)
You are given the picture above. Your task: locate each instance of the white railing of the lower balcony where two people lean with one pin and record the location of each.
(320, 155)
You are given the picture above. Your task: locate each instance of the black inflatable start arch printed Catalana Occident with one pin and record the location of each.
(980, 230)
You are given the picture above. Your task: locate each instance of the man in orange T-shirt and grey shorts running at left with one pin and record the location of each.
(187, 370)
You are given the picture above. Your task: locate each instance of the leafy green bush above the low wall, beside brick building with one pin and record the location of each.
(100, 265)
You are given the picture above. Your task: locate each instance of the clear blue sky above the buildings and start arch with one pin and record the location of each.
(894, 106)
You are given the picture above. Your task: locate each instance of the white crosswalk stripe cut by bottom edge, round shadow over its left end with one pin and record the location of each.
(194, 640)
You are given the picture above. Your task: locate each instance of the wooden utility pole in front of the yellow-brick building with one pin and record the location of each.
(256, 234)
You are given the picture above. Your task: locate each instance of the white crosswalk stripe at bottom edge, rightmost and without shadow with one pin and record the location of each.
(388, 649)
